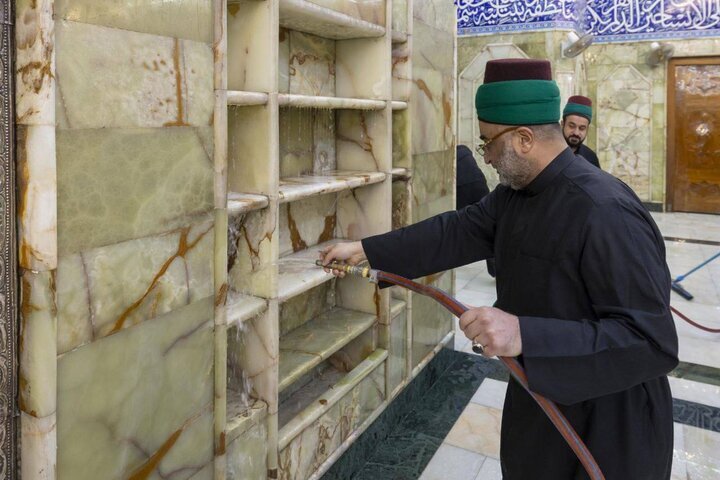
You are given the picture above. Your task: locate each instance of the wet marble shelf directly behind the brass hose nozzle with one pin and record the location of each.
(298, 272)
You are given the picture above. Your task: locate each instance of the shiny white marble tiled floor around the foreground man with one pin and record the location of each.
(470, 449)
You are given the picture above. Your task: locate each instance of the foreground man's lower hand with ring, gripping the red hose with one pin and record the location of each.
(497, 331)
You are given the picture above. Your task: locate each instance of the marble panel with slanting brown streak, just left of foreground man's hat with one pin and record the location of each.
(431, 108)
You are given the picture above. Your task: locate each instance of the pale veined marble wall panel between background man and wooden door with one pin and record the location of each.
(623, 127)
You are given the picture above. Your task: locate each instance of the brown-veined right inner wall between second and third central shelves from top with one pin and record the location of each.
(362, 140)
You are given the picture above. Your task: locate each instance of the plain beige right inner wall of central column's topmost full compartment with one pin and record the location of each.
(362, 68)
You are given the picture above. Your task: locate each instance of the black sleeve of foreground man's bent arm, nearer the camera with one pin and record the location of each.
(633, 338)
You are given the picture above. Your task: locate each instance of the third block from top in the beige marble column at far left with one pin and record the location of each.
(38, 326)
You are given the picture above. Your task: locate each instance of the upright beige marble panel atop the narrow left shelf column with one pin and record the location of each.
(251, 63)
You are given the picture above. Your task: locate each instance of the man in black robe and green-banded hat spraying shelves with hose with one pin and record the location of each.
(582, 288)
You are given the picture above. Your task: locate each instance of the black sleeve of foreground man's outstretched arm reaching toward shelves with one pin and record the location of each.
(439, 243)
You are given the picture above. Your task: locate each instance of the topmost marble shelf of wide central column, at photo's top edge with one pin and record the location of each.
(308, 17)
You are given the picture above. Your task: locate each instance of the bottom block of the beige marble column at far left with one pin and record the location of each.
(38, 437)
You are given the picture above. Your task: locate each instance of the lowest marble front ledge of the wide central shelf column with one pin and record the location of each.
(325, 402)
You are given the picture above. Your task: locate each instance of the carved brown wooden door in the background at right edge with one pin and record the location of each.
(693, 166)
